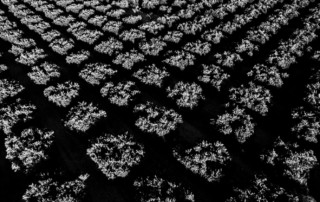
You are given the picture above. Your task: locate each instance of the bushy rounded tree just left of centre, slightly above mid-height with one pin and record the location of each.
(120, 93)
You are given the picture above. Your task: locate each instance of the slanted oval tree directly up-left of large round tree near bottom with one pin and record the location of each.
(82, 116)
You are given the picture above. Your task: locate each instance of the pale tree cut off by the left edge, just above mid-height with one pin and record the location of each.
(9, 88)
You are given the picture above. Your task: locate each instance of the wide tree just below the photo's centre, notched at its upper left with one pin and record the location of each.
(156, 119)
